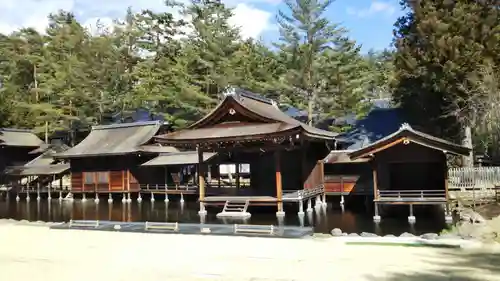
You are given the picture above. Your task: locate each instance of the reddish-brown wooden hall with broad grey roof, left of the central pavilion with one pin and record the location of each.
(110, 158)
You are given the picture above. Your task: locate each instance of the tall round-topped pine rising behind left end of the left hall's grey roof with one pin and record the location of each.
(67, 81)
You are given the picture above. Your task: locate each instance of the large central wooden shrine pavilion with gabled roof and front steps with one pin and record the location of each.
(282, 152)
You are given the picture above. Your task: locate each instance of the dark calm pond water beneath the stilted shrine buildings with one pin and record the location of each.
(352, 219)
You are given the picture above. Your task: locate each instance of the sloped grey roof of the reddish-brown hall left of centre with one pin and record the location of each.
(116, 139)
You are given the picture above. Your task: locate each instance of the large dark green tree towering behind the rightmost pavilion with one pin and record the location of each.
(440, 45)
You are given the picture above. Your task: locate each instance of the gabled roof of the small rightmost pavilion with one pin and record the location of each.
(405, 131)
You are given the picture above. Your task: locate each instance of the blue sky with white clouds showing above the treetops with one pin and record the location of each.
(369, 22)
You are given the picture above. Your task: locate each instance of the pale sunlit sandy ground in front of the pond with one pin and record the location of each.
(37, 253)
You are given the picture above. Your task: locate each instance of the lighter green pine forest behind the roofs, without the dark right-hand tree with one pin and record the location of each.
(177, 64)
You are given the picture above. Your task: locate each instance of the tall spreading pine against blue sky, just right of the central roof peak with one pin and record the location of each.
(309, 40)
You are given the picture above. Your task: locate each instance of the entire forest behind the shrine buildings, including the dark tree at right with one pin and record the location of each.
(443, 69)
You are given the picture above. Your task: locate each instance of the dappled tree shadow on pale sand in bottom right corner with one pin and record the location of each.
(454, 264)
